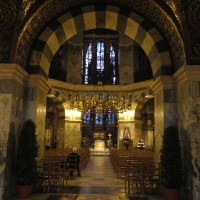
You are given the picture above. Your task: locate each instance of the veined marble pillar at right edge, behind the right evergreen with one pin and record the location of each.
(188, 101)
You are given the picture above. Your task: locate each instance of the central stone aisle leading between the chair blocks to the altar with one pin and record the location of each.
(98, 181)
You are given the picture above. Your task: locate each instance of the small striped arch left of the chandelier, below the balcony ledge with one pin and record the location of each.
(59, 101)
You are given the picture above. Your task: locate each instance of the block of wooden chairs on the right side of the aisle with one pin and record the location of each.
(139, 170)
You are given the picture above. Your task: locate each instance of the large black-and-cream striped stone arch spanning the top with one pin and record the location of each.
(141, 30)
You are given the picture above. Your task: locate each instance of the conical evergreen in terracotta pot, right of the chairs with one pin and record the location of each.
(171, 163)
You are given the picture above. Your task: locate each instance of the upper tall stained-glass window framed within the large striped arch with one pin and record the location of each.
(100, 55)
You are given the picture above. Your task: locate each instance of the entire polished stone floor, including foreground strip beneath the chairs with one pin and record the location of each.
(98, 181)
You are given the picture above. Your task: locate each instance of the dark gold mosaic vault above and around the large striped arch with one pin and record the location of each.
(23, 21)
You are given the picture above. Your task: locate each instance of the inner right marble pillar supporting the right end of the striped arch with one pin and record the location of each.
(165, 108)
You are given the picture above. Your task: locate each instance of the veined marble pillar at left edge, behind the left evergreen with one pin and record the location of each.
(12, 83)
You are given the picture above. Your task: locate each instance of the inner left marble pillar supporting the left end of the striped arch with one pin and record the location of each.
(35, 106)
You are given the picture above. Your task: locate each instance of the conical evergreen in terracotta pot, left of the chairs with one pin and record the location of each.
(26, 166)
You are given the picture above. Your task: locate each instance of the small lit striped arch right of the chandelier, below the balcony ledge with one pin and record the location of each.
(140, 101)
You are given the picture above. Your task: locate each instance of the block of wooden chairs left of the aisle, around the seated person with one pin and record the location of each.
(53, 168)
